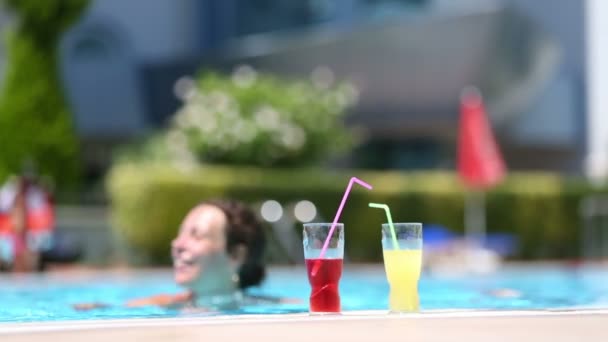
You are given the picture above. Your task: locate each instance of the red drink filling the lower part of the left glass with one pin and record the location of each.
(324, 296)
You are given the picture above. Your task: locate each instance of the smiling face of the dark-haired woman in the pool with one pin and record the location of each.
(199, 249)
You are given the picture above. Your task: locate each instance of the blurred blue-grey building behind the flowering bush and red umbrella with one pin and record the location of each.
(409, 58)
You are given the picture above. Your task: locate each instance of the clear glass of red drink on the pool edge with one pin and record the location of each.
(324, 272)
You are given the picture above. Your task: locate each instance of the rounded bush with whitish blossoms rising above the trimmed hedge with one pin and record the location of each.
(249, 118)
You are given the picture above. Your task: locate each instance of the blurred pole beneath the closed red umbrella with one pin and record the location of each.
(475, 218)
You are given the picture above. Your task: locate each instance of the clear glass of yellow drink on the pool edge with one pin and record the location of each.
(403, 265)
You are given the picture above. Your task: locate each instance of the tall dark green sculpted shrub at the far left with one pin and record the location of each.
(35, 123)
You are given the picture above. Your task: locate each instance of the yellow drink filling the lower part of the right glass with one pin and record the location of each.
(403, 271)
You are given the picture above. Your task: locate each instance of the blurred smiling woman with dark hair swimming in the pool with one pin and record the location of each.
(217, 253)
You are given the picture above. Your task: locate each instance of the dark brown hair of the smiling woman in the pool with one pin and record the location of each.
(244, 228)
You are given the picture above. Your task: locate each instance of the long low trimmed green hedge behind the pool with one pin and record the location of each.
(149, 201)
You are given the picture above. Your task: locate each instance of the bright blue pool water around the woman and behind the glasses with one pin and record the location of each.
(49, 297)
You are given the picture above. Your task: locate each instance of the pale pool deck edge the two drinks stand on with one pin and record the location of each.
(471, 326)
